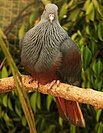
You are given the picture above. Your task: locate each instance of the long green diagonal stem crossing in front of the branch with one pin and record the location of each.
(21, 91)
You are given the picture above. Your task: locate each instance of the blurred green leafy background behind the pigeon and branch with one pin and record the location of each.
(83, 20)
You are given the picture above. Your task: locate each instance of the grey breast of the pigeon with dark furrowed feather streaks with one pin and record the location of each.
(41, 46)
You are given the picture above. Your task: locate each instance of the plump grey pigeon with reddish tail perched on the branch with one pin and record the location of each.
(49, 54)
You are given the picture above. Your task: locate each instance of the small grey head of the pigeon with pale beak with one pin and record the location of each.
(50, 13)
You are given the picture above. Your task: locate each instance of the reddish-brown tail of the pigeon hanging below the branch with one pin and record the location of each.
(70, 110)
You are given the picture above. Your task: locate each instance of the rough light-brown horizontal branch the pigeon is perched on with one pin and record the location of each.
(66, 91)
